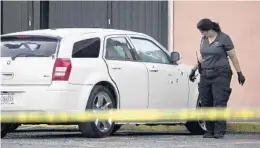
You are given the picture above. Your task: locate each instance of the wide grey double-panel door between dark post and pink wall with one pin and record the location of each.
(149, 17)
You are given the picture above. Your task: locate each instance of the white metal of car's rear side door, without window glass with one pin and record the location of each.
(131, 78)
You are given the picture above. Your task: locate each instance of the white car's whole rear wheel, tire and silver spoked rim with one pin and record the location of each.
(100, 99)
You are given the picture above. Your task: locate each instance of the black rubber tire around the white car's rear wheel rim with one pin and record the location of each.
(89, 129)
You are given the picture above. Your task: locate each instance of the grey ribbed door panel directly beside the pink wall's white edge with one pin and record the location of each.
(150, 17)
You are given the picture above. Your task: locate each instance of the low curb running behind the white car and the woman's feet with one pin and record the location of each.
(231, 127)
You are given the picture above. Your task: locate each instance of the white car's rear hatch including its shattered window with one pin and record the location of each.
(28, 60)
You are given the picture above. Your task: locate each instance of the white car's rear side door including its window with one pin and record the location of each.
(130, 76)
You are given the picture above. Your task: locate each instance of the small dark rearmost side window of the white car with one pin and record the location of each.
(88, 48)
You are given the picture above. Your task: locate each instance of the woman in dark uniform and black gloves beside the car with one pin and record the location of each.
(215, 72)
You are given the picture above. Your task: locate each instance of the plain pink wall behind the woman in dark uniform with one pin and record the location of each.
(239, 19)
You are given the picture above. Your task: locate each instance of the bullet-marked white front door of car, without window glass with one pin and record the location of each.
(168, 85)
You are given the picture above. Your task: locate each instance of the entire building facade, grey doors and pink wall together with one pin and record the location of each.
(173, 24)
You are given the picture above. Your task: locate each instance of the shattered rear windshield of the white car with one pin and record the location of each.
(28, 46)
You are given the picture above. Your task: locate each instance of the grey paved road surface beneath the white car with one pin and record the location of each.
(125, 139)
